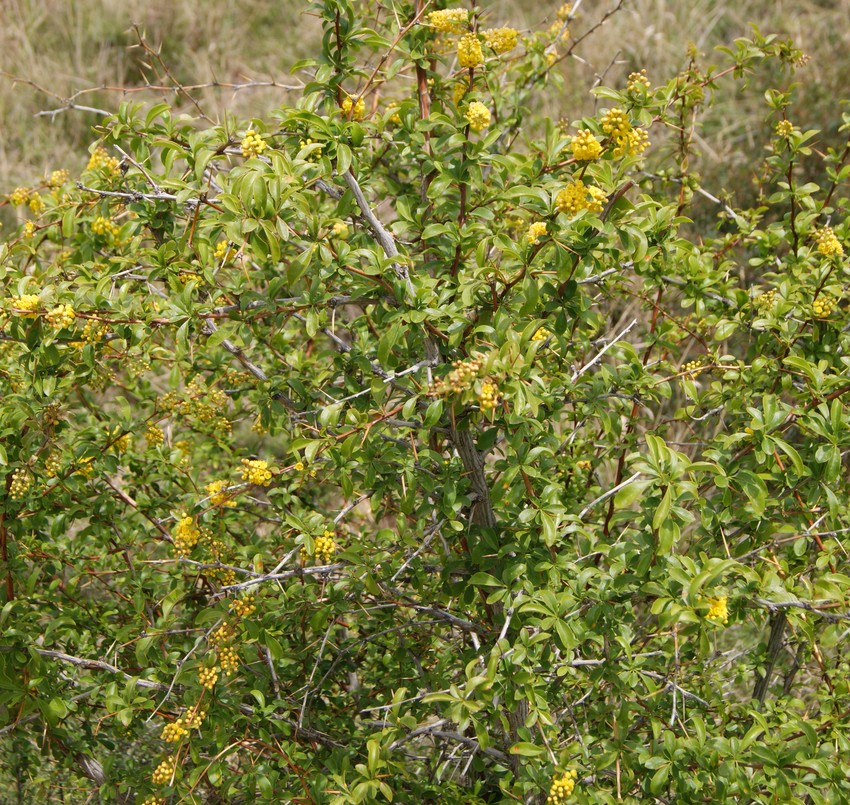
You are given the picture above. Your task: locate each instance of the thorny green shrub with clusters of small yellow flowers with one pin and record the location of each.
(352, 455)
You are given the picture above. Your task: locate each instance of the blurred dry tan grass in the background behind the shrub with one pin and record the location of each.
(64, 47)
